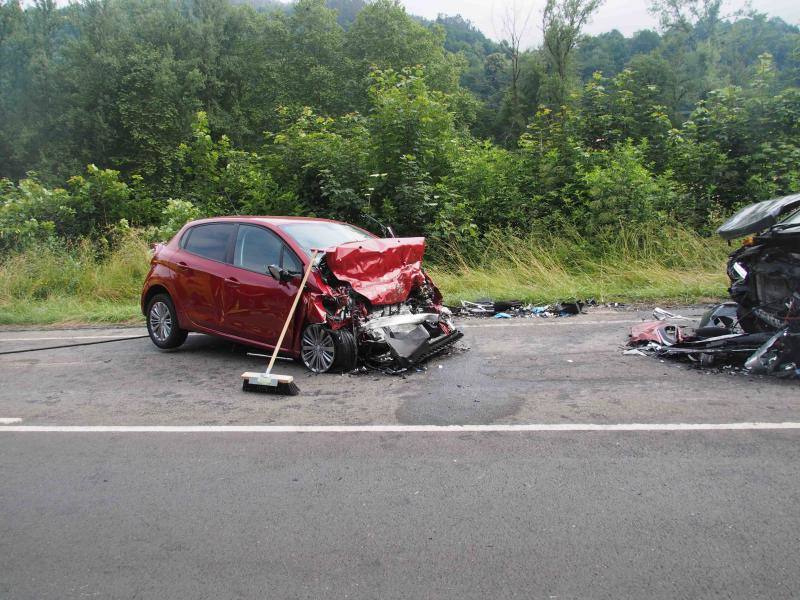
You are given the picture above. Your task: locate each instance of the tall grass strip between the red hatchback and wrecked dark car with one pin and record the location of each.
(646, 264)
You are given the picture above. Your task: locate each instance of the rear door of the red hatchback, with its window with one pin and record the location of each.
(201, 264)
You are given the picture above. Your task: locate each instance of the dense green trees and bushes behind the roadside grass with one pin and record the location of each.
(352, 108)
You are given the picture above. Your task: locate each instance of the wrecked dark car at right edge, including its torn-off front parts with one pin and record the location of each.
(759, 329)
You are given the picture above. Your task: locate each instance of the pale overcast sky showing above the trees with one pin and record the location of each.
(626, 15)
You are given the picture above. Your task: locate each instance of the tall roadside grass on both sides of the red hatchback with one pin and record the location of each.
(50, 284)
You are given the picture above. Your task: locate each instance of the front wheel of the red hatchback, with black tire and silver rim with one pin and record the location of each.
(323, 350)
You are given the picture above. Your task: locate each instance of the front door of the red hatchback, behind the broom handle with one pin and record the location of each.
(255, 305)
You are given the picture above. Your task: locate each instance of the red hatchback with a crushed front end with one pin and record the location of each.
(367, 299)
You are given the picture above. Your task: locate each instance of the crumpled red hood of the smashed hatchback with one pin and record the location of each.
(382, 270)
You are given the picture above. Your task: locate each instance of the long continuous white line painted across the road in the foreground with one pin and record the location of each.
(531, 427)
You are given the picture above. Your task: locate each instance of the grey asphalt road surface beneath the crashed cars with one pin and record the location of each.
(684, 489)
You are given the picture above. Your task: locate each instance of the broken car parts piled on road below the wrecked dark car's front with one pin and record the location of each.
(719, 341)
